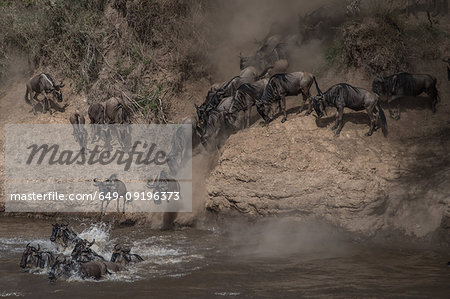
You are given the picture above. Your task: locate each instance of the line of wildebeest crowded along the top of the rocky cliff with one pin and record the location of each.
(218, 115)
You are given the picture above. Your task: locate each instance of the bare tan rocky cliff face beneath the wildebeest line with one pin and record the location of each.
(362, 184)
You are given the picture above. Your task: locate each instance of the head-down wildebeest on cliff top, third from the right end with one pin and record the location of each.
(279, 87)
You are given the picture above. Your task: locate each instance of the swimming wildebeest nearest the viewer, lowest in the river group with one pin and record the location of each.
(64, 267)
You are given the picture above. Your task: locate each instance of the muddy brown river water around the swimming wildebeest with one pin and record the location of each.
(211, 263)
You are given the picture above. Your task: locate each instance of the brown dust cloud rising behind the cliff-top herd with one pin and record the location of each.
(238, 27)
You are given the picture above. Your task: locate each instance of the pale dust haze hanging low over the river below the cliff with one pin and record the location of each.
(283, 237)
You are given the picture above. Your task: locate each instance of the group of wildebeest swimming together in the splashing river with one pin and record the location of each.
(83, 261)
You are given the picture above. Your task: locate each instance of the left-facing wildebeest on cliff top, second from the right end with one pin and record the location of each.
(344, 95)
